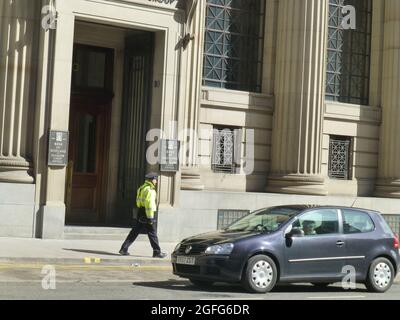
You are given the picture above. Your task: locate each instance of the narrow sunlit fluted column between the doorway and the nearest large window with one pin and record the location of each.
(193, 45)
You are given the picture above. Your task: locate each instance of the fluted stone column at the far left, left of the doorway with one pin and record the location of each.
(19, 30)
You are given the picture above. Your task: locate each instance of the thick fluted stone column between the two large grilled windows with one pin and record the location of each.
(299, 98)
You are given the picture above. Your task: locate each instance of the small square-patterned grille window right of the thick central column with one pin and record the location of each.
(340, 158)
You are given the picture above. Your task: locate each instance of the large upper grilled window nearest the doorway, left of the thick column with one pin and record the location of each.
(233, 48)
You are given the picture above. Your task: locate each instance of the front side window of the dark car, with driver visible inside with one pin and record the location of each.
(318, 222)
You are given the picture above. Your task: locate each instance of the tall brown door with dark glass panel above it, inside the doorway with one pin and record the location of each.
(89, 126)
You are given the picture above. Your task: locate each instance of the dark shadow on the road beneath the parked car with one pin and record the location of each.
(184, 285)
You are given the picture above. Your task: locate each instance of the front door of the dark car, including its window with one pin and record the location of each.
(318, 252)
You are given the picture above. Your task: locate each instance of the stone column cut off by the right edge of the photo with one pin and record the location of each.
(388, 184)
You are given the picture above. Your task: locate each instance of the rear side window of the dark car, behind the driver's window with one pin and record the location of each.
(356, 222)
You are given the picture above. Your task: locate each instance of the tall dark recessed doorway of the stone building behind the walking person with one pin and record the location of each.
(107, 151)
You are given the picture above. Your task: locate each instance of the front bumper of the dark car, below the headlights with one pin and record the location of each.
(209, 267)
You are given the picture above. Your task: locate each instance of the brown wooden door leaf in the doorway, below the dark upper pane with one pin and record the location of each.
(87, 127)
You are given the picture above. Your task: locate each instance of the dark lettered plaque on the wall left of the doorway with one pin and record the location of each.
(58, 148)
